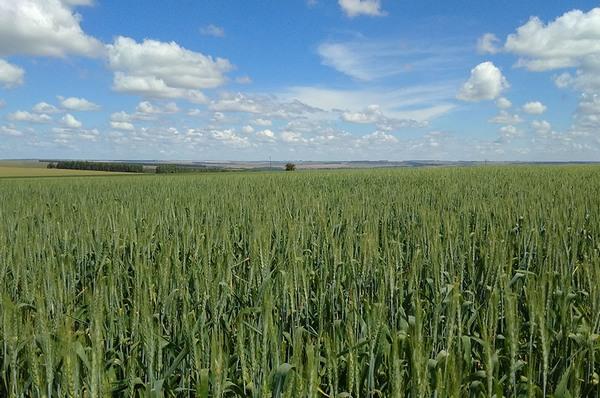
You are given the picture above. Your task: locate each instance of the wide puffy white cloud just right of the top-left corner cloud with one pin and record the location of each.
(164, 70)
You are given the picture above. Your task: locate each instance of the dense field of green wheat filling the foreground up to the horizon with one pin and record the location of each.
(462, 282)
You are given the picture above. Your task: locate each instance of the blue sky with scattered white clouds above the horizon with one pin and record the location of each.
(300, 79)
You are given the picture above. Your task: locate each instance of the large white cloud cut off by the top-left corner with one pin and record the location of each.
(44, 28)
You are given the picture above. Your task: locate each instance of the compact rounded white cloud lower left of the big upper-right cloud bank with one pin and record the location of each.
(486, 83)
